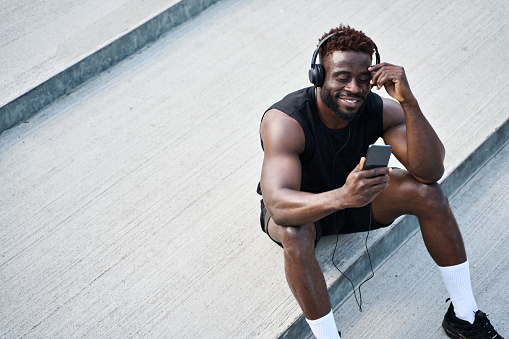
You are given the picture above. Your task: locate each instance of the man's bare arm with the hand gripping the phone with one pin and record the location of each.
(283, 141)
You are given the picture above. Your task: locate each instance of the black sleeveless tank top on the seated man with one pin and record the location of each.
(319, 174)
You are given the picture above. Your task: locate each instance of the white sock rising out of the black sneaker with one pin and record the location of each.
(457, 282)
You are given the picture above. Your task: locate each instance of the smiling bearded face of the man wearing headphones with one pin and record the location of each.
(346, 84)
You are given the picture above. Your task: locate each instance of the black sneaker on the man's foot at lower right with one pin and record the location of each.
(457, 328)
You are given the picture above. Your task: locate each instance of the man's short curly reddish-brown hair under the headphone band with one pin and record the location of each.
(350, 40)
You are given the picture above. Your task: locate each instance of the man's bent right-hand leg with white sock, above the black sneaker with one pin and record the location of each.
(439, 229)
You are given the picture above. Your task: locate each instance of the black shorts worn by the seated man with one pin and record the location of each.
(350, 220)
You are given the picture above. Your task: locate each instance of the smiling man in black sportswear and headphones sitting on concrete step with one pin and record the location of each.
(313, 184)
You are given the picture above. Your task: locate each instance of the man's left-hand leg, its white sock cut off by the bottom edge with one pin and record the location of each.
(305, 276)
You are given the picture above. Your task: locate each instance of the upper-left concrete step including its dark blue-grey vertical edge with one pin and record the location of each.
(50, 48)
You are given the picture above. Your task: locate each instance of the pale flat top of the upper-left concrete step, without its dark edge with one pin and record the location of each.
(39, 39)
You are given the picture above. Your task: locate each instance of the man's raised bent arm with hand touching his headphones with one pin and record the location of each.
(415, 143)
